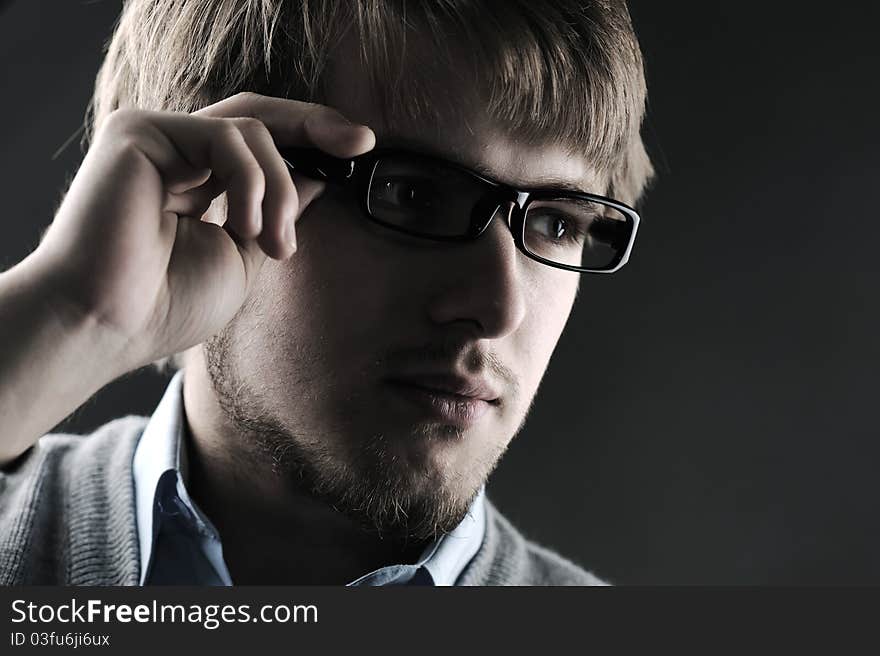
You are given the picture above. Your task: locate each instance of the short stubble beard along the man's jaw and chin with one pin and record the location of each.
(365, 479)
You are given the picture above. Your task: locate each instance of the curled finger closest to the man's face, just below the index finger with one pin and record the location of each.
(280, 205)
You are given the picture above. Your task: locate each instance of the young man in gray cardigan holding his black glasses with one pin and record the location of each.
(360, 268)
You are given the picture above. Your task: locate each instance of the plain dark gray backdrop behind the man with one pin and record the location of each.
(709, 415)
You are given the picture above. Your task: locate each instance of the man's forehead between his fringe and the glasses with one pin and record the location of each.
(454, 125)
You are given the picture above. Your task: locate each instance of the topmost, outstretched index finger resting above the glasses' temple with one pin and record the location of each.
(297, 123)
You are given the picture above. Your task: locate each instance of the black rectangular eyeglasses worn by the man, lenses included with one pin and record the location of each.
(431, 198)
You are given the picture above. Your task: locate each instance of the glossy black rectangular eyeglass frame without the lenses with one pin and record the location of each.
(359, 171)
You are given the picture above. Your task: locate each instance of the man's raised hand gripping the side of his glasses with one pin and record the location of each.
(132, 247)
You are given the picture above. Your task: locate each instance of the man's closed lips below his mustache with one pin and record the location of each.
(449, 401)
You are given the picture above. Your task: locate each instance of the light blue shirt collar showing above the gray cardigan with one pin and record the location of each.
(160, 450)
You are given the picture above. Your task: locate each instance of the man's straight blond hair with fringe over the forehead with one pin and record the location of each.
(568, 71)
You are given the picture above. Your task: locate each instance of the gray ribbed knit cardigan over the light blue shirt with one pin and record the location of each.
(67, 517)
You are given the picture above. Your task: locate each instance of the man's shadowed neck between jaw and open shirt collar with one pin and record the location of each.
(273, 532)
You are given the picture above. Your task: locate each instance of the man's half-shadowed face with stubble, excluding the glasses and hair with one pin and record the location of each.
(338, 361)
